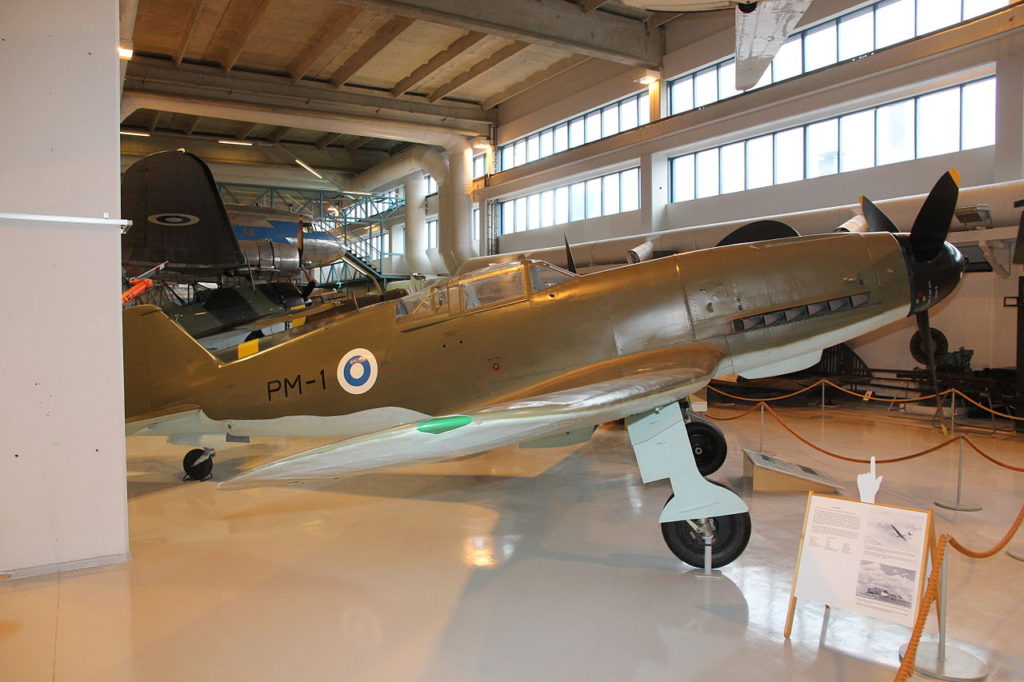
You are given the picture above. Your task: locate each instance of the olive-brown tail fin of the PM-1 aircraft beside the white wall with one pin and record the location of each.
(163, 364)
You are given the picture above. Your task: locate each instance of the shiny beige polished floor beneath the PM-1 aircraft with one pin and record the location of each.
(517, 565)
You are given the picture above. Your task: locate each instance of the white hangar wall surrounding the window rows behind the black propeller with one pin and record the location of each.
(974, 318)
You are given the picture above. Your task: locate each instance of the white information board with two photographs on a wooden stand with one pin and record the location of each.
(863, 558)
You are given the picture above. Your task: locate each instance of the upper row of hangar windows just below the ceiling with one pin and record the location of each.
(848, 36)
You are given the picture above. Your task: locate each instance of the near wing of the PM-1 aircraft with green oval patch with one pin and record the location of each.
(658, 379)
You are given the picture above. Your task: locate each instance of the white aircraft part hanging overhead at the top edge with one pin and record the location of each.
(761, 29)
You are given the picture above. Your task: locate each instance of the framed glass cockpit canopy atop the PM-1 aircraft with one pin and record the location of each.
(490, 287)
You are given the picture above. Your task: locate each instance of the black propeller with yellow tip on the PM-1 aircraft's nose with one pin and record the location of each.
(923, 248)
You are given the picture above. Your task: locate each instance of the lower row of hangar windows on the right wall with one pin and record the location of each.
(953, 119)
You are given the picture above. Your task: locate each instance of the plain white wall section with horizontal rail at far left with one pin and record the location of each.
(63, 500)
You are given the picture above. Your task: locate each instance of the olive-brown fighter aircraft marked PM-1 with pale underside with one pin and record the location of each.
(529, 354)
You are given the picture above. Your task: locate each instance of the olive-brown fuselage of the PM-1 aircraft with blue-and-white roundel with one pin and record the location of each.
(770, 308)
